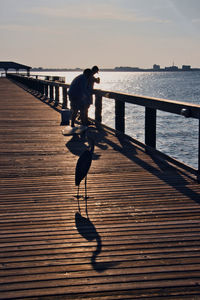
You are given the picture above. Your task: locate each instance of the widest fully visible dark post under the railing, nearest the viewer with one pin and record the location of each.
(150, 127)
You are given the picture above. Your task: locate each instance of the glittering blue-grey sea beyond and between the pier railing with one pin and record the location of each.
(176, 135)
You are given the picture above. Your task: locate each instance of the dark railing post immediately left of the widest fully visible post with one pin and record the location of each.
(120, 116)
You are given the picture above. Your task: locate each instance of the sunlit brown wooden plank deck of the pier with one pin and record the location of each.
(142, 238)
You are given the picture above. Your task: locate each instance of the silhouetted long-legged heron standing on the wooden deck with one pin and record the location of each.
(82, 168)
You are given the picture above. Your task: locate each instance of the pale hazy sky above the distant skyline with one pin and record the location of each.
(107, 33)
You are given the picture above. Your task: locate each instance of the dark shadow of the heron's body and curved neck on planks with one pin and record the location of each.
(88, 231)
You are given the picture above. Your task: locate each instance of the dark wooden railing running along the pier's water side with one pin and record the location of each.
(57, 91)
